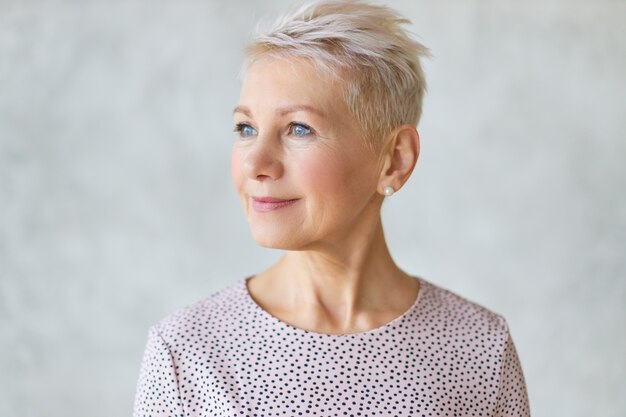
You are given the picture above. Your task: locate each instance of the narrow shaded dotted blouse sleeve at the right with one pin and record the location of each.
(512, 397)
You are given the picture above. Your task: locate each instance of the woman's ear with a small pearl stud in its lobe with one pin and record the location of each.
(399, 157)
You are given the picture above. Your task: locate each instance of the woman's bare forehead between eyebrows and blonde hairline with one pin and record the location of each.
(287, 81)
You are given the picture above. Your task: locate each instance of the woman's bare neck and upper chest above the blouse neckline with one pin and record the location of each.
(350, 286)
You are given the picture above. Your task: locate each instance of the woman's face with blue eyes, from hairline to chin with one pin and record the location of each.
(296, 140)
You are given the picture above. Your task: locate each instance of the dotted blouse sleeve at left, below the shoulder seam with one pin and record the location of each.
(157, 391)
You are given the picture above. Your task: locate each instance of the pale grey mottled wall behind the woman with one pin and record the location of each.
(116, 206)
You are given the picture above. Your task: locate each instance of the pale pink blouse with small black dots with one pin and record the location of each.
(226, 356)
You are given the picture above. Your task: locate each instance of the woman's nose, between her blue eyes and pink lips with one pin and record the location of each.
(264, 159)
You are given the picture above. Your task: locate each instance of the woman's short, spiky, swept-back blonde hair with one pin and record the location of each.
(385, 84)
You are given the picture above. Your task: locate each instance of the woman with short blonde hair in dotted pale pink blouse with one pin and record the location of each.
(325, 131)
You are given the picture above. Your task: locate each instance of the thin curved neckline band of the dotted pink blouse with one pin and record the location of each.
(376, 330)
